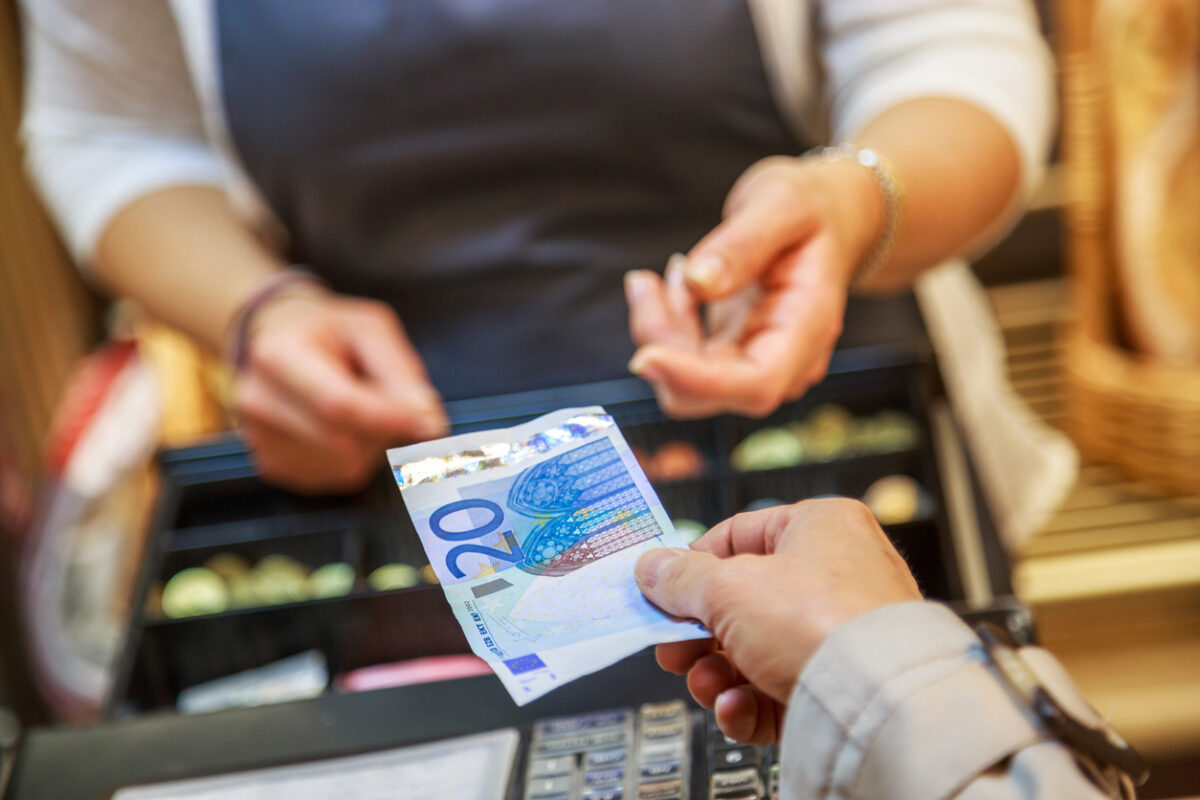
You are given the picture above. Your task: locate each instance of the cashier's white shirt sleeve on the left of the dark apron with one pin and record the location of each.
(111, 113)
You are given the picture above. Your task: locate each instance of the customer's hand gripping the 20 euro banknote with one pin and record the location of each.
(771, 586)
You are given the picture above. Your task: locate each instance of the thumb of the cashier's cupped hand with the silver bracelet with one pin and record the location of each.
(748, 243)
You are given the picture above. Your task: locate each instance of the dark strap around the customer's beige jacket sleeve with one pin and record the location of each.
(1105, 755)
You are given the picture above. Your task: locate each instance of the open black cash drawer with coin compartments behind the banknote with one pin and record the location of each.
(213, 503)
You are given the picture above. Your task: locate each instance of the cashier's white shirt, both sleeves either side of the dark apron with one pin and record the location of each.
(124, 98)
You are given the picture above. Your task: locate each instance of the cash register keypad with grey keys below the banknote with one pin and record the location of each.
(644, 755)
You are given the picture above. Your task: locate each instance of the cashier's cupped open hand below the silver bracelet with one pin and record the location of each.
(773, 275)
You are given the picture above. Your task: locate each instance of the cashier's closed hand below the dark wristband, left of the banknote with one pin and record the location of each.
(329, 383)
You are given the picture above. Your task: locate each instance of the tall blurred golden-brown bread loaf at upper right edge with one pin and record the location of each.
(1150, 52)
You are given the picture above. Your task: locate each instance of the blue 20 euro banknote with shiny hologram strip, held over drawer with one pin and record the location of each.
(533, 532)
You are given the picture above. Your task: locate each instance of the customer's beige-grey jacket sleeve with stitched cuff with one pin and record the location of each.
(902, 705)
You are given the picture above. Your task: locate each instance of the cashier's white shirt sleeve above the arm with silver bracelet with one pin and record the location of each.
(988, 53)
